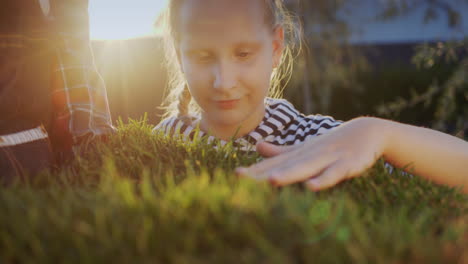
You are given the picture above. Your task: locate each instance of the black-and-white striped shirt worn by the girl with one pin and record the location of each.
(281, 125)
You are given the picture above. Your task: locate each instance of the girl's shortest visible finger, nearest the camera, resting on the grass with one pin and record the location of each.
(329, 177)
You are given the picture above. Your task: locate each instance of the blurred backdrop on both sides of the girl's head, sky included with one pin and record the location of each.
(400, 59)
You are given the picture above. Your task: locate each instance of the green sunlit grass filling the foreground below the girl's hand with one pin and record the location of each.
(143, 198)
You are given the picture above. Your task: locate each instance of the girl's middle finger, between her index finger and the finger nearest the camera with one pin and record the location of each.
(300, 170)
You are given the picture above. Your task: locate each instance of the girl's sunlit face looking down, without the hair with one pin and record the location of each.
(227, 53)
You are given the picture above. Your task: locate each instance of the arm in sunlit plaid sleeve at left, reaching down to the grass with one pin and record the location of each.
(81, 108)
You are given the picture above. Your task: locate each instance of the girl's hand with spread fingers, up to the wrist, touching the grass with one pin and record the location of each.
(323, 161)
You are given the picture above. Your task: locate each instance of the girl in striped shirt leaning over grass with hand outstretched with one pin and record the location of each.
(230, 54)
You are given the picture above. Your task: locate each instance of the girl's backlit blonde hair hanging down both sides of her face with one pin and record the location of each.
(178, 101)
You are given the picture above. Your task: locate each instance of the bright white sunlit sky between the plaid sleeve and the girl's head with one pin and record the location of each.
(123, 19)
